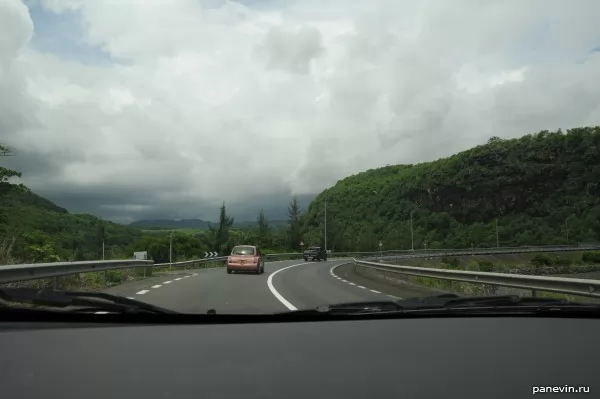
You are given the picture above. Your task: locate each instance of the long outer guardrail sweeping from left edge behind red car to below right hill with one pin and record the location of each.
(25, 272)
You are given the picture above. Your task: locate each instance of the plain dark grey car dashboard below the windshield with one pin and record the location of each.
(470, 357)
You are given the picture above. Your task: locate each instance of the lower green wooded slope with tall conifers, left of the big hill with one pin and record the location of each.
(33, 229)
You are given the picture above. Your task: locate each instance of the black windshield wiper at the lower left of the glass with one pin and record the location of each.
(85, 301)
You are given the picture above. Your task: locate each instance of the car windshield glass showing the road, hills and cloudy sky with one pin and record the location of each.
(410, 140)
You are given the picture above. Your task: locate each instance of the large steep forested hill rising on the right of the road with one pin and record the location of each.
(540, 189)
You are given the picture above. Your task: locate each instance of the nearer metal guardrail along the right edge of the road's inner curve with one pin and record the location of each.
(563, 285)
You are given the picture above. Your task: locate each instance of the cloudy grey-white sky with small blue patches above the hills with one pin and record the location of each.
(134, 109)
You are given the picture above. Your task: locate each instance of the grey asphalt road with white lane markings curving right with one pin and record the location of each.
(285, 285)
